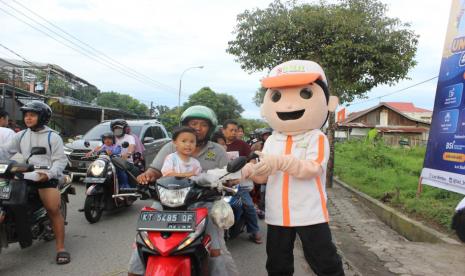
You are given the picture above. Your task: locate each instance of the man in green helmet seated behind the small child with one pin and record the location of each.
(211, 156)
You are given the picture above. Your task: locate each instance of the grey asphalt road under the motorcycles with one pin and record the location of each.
(104, 248)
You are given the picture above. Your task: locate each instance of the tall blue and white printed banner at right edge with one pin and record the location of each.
(444, 165)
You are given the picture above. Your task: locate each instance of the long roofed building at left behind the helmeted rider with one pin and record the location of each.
(19, 84)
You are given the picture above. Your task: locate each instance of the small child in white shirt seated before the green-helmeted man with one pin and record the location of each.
(181, 163)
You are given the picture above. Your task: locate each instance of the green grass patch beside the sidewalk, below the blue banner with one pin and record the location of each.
(391, 176)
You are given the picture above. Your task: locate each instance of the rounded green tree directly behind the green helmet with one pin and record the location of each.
(224, 105)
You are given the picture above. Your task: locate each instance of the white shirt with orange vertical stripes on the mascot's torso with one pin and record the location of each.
(294, 201)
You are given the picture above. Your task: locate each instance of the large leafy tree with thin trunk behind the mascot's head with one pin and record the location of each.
(356, 43)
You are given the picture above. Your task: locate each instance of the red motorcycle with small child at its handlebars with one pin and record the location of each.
(172, 240)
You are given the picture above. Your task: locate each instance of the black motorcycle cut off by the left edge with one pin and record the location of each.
(23, 217)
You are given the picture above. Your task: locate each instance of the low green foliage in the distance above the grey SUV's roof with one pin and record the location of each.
(122, 101)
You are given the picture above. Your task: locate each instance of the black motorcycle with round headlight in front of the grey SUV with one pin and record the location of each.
(102, 187)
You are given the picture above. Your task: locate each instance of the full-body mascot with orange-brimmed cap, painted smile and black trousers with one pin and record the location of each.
(293, 164)
